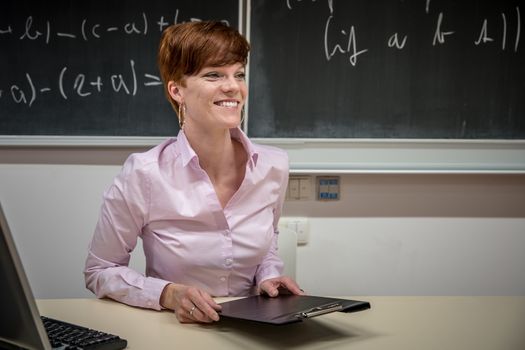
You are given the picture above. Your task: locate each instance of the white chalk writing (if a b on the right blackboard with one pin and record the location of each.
(343, 41)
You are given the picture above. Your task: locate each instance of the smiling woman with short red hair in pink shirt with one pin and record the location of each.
(207, 204)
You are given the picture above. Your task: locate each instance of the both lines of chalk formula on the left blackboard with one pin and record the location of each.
(66, 82)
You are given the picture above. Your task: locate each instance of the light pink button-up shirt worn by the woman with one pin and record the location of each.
(164, 197)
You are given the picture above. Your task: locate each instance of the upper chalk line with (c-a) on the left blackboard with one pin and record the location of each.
(87, 29)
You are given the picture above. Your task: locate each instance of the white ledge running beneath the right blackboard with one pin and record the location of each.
(402, 156)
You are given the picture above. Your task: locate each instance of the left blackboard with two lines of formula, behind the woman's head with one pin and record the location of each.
(89, 67)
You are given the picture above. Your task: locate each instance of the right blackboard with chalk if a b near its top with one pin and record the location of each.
(416, 69)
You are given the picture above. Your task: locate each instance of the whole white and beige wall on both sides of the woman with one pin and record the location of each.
(389, 234)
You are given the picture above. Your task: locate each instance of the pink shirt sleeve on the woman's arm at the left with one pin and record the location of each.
(123, 214)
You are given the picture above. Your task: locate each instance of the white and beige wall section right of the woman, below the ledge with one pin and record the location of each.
(416, 235)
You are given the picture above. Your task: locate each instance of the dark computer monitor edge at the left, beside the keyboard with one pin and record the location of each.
(20, 322)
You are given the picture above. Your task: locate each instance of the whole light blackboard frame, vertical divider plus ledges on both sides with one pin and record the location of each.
(329, 156)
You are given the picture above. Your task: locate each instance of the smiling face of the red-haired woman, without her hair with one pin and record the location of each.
(213, 97)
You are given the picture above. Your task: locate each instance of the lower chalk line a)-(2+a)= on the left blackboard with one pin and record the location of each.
(68, 84)
